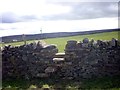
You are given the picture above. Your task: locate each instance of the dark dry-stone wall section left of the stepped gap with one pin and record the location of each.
(26, 61)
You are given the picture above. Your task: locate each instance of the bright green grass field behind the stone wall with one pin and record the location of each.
(61, 42)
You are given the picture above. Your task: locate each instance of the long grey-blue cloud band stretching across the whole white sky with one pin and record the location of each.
(80, 10)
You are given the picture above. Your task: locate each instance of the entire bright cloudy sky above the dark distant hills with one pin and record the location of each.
(30, 16)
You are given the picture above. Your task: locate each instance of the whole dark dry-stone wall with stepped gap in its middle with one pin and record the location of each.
(84, 59)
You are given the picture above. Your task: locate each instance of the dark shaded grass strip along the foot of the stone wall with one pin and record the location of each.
(106, 83)
